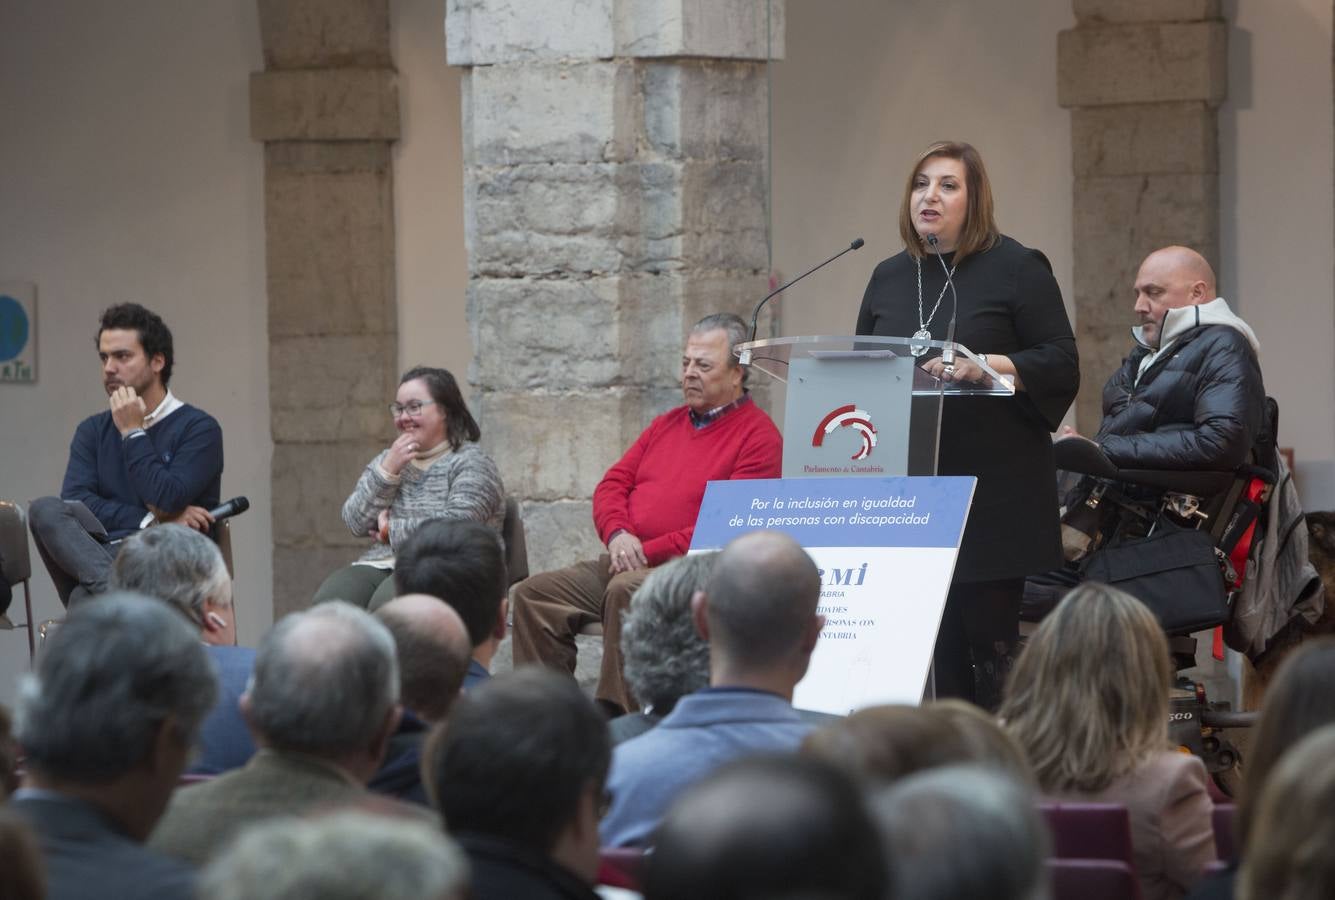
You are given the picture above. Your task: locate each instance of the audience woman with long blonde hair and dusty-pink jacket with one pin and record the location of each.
(1089, 706)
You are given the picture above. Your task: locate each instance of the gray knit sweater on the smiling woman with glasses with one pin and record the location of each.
(463, 484)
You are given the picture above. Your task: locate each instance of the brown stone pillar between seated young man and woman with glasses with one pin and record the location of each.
(326, 109)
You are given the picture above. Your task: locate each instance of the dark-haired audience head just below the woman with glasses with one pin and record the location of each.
(463, 564)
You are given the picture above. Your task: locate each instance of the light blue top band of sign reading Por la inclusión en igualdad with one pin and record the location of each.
(918, 512)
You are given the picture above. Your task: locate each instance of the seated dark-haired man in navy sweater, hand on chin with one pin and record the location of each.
(149, 459)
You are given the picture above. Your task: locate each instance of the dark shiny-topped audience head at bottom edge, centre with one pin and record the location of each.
(768, 827)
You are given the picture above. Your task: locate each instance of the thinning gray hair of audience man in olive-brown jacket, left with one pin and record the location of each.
(324, 682)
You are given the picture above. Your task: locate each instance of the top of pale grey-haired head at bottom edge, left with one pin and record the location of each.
(342, 857)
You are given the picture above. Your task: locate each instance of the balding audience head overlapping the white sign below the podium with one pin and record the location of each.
(759, 612)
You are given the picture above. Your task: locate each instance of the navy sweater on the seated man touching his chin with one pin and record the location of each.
(177, 464)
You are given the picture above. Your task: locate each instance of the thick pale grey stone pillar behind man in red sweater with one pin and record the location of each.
(615, 193)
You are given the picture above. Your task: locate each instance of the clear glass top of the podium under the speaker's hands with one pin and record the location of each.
(775, 355)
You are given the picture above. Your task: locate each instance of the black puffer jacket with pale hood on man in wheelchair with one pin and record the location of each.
(1198, 405)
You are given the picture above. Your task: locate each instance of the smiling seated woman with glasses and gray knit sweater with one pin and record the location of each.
(435, 469)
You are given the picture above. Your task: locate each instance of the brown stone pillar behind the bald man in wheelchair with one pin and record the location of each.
(1143, 81)
